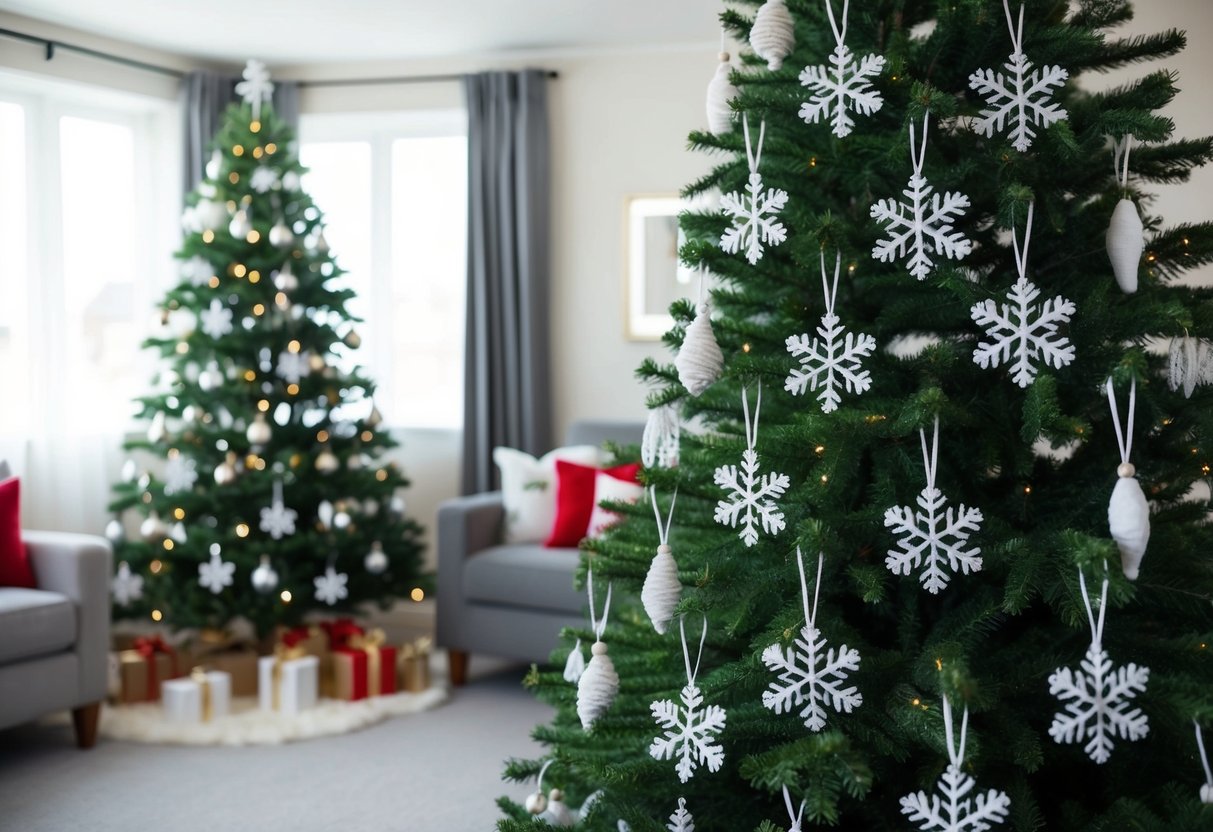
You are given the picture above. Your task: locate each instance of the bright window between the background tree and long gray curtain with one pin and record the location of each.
(394, 191)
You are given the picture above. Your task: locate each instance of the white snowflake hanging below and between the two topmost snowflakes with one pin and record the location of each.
(922, 226)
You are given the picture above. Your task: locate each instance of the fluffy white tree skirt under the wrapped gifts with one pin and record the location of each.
(249, 726)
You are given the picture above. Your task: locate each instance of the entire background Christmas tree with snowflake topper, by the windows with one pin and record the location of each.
(266, 499)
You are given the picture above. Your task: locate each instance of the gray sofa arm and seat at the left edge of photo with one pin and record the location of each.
(55, 640)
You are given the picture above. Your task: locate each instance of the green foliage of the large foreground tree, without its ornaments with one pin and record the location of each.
(1039, 461)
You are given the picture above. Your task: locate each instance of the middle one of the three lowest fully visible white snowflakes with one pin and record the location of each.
(811, 675)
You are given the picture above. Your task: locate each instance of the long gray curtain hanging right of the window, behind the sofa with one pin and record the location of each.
(508, 394)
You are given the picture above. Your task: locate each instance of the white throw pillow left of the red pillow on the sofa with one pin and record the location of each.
(528, 489)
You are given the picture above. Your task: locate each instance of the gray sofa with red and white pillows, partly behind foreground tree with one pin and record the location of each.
(509, 601)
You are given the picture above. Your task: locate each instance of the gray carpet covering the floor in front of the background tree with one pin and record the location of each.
(438, 771)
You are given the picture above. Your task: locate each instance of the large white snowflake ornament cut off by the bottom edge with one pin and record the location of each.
(956, 808)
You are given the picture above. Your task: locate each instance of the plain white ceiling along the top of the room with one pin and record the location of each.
(343, 31)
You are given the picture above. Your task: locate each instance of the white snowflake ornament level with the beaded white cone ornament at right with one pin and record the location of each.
(936, 538)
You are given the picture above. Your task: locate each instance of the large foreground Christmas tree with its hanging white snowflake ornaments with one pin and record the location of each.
(901, 559)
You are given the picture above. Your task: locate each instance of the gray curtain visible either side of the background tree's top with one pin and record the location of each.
(206, 95)
